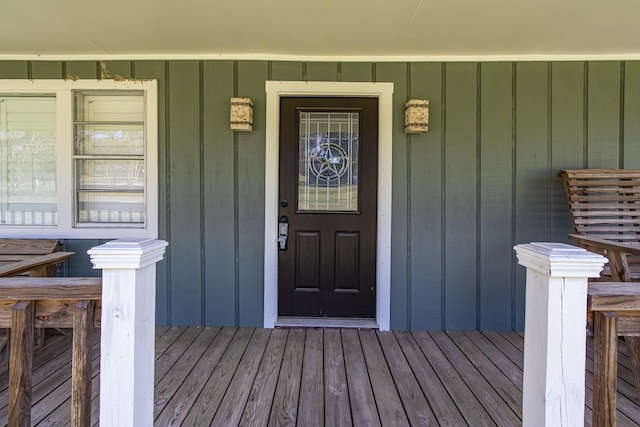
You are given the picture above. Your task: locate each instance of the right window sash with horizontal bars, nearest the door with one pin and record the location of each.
(109, 158)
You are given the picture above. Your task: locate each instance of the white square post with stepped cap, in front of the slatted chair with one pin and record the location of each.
(555, 332)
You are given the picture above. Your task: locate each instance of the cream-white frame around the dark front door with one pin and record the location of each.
(384, 92)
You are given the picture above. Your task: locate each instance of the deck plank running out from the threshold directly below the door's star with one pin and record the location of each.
(337, 411)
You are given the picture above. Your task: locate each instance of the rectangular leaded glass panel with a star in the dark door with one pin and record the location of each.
(328, 161)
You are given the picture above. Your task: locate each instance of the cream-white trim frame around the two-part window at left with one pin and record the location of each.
(64, 116)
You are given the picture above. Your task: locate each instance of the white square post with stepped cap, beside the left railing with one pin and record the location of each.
(128, 329)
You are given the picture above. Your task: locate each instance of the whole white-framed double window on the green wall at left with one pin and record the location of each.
(78, 159)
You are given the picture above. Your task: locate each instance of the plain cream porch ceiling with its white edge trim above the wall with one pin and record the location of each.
(306, 29)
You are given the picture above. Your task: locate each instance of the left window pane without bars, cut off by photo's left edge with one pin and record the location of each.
(28, 160)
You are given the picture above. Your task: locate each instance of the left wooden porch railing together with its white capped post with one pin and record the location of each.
(121, 302)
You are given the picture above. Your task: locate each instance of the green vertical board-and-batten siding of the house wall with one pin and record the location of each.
(480, 181)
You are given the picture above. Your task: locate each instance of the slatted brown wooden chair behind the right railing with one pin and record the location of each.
(605, 209)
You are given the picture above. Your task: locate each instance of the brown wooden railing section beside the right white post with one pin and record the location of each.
(616, 312)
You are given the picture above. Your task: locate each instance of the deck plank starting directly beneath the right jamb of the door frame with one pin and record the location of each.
(413, 399)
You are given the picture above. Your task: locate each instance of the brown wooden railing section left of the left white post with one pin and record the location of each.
(49, 302)
